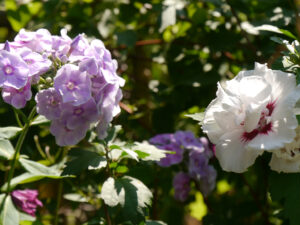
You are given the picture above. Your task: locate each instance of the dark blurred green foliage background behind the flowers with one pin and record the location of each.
(183, 62)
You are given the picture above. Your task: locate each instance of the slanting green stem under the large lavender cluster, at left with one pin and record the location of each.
(18, 148)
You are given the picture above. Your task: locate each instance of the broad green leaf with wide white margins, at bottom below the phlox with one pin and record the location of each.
(131, 194)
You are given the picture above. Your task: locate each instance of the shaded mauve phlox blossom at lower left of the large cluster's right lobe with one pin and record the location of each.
(49, 103)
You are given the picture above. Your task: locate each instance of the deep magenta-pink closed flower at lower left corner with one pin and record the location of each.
(26, 200)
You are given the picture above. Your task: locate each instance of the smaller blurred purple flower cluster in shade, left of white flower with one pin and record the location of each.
(199, 153)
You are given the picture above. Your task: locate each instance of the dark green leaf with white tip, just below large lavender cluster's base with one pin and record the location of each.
(83, 159)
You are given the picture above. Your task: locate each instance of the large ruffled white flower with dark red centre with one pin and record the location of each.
(252, 112)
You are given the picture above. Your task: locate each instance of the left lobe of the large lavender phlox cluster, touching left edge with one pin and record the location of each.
(20, 67)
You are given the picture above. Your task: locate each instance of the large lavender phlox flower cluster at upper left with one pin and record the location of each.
(78, 82)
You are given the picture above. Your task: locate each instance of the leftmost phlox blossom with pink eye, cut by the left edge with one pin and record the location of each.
(13, 70)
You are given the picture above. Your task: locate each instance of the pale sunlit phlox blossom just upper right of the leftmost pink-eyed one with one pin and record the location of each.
(37, 63)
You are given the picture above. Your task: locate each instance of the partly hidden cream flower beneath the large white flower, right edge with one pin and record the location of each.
(287, 159)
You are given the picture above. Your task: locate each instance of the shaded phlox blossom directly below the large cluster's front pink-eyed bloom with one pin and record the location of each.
(77, 115)
